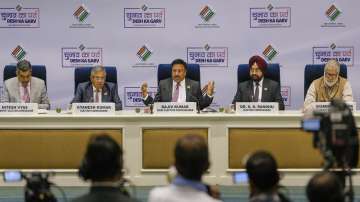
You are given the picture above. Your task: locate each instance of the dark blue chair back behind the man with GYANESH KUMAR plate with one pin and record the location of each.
(82, 74)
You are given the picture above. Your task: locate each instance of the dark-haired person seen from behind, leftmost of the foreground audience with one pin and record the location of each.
(102, 165)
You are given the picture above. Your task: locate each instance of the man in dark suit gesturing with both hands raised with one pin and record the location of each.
(179, 89)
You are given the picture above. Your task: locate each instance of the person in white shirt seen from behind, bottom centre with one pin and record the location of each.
(191, 162)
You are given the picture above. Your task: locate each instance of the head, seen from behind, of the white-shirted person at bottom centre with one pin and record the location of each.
(191, 157)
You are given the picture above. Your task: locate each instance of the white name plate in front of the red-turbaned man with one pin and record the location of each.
(257, 107)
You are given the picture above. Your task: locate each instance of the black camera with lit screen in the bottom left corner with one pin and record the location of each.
(37, 188)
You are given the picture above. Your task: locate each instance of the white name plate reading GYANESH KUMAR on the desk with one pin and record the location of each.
(106, 108)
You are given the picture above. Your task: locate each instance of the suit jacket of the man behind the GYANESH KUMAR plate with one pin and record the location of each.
(84, 93)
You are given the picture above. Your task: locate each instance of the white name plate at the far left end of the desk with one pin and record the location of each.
(18, 108)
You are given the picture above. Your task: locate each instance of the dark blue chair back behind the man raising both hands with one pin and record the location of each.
(192, 72)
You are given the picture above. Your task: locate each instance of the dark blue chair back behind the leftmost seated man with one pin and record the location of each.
(38, 71)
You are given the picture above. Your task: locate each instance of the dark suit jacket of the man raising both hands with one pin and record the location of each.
(193, 93)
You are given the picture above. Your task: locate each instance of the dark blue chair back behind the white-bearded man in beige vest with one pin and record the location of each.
(316, 71)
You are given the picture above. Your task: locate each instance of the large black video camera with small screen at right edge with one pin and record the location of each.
(335, 135)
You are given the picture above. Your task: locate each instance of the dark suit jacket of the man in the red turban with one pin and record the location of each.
(270, 92)
